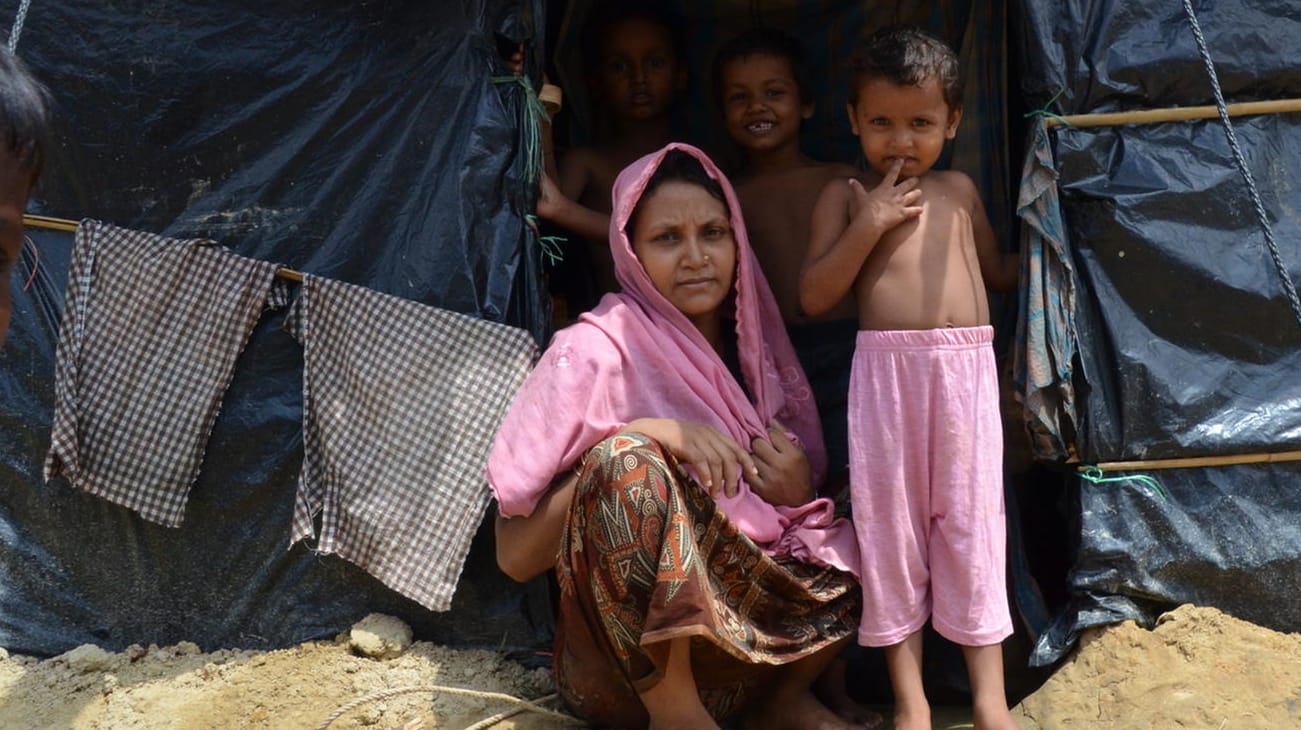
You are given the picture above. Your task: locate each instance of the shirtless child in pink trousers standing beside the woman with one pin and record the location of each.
(915, 248)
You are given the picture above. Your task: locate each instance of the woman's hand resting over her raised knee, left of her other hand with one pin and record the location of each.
(719, 461)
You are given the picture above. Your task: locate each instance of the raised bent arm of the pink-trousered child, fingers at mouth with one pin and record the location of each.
(848, 224)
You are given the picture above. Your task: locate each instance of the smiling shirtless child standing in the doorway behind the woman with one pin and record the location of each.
(759, 81)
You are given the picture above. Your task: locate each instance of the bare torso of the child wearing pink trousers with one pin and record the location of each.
(924, 274)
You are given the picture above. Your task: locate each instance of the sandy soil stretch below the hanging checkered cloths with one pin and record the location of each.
(296, 689)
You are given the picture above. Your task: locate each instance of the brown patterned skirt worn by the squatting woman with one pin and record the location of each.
(647, 558)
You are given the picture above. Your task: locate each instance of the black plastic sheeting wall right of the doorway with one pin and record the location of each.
(1187, 343)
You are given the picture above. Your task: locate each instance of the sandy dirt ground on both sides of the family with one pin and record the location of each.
(1199, 668)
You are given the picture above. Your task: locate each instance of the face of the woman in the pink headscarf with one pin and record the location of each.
(685, 241)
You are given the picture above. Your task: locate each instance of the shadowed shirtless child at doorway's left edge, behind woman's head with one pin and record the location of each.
(632, 54)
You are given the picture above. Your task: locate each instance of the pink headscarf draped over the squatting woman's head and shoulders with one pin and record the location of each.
(636, 356)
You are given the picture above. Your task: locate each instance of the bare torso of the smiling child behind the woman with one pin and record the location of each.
(779, 209)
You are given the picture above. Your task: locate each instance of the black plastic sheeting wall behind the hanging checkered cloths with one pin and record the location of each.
(358, 141)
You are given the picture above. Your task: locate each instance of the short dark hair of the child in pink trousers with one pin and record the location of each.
(907, 57)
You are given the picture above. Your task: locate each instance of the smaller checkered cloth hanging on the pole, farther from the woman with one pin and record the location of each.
(150, 335)
